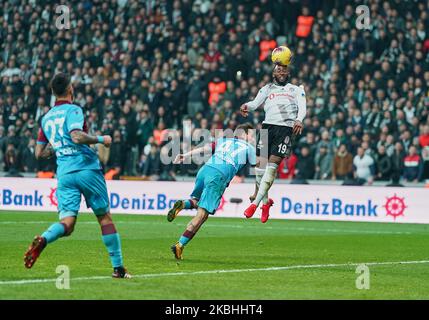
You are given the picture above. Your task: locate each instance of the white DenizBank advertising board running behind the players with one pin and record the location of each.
(302, 202)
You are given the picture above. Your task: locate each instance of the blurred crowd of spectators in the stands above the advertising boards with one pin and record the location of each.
(142, 68)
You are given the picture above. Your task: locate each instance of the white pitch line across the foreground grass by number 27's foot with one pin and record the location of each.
(173, 274)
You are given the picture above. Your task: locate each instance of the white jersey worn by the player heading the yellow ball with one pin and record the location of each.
(282, 104)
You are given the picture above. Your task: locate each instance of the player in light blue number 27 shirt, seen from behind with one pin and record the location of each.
(79, 172)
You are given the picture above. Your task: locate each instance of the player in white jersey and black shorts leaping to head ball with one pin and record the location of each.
(285, 108)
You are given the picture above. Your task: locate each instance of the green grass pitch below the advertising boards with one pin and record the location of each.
(228, 259)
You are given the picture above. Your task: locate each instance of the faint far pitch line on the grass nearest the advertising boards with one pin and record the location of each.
(232, 226)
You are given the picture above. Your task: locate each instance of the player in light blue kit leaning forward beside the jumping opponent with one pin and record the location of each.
(230, 155)
